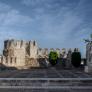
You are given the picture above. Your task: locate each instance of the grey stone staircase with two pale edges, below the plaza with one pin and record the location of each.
(47, 84)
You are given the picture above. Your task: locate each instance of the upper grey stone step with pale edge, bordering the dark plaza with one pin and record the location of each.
(46, 82)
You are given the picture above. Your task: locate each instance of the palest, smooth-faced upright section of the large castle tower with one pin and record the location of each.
(20, 52)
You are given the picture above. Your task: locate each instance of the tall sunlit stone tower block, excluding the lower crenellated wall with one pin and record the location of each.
(19, 53)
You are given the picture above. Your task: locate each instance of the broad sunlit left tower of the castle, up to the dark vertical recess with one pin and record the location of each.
(14, 53)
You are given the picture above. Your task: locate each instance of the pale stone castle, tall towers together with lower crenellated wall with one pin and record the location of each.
(19, 53)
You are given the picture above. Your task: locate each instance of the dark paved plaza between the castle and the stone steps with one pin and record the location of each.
(50, 72)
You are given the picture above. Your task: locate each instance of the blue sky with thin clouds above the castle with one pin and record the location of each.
(52, 23)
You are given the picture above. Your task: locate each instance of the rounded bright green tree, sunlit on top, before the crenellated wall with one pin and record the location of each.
(53, 57)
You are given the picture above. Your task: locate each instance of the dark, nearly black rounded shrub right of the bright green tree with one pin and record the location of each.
(76, 59)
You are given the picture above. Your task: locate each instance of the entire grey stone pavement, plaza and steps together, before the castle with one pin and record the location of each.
(45, 80)
